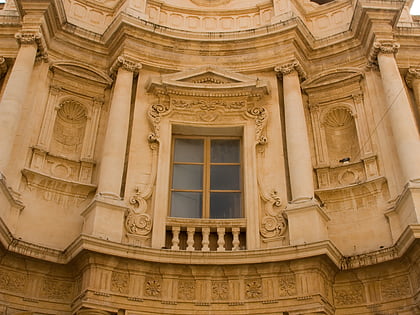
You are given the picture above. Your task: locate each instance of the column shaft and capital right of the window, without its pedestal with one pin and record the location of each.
(298, 154)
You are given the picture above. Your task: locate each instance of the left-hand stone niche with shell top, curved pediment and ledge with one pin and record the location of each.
(62, 160)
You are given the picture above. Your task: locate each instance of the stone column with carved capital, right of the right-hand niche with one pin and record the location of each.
(403, 125)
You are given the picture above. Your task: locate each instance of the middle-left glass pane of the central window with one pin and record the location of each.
(187, 177)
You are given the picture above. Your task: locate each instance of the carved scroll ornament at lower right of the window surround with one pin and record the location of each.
(273, 224)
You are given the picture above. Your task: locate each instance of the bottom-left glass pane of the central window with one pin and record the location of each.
(186, 204)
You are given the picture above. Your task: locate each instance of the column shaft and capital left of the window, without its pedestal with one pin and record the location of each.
(113, 155)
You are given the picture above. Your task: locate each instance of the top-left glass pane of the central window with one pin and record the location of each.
(189, 150)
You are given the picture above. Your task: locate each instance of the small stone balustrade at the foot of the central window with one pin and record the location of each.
(205, 234)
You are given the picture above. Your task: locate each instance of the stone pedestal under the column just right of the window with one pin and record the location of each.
(307, 222)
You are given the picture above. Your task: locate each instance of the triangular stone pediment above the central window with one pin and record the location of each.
(207, 81)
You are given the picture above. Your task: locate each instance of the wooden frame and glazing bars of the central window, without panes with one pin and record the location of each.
(206, 187)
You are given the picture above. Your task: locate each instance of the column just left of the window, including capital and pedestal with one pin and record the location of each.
(104, 217)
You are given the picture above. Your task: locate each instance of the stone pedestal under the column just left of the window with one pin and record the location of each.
(104, 218)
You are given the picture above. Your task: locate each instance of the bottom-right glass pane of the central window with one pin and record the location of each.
(225, 205)
